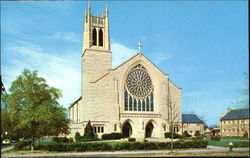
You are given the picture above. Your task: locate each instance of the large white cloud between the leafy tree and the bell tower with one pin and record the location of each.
(57, 70)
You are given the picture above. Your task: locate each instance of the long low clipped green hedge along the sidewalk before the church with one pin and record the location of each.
(120, 146)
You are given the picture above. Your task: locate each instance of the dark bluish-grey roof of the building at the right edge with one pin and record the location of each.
(236, 114)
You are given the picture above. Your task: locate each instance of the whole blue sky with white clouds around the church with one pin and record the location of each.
(201, 45)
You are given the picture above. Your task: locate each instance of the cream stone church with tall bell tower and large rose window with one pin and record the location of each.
(132, 98)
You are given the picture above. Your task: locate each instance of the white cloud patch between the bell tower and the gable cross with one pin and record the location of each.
(121, 53)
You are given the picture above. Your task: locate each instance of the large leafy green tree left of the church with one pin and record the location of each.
(34, 109)
